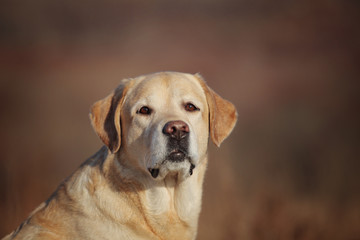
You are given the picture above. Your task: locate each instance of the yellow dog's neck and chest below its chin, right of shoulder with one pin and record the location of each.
(171, 206)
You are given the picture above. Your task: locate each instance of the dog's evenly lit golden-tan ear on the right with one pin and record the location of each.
(222, 114)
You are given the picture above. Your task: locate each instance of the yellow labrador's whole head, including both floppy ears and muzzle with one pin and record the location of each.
(161, 122)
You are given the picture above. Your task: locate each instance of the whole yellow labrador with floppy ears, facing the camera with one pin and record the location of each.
(146, 182)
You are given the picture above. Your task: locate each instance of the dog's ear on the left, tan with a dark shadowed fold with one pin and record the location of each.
(105, 117)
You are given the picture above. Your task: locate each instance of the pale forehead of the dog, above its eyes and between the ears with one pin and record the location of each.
(165, 87)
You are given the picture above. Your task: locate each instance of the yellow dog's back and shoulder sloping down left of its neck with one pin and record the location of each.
(55, 216)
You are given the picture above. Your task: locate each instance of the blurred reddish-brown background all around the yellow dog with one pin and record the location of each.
(290, 170)
